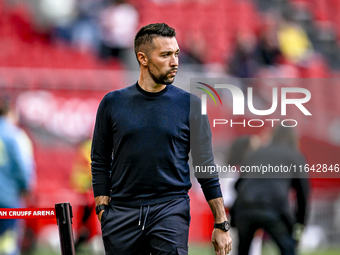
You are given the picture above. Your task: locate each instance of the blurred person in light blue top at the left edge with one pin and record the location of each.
(16, 173)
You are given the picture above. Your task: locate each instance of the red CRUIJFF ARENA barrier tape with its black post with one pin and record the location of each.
(63, 214)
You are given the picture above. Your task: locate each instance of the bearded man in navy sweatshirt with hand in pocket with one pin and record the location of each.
(140, 157)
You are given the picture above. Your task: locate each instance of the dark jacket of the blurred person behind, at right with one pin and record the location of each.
(273, 193)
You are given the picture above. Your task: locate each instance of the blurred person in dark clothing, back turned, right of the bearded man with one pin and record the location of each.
(264, 203)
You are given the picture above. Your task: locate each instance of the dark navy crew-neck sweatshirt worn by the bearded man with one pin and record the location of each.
(141, 145)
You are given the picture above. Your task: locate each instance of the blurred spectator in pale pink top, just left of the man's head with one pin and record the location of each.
(118, 22)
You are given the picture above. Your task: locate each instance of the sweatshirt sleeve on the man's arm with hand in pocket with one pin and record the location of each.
(101, 151)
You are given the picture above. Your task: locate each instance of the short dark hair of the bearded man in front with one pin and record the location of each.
(144, 37)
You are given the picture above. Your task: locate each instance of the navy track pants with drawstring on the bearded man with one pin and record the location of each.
(160, 229)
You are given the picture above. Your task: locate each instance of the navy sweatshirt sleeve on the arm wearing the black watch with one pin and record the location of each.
(201, 150)
